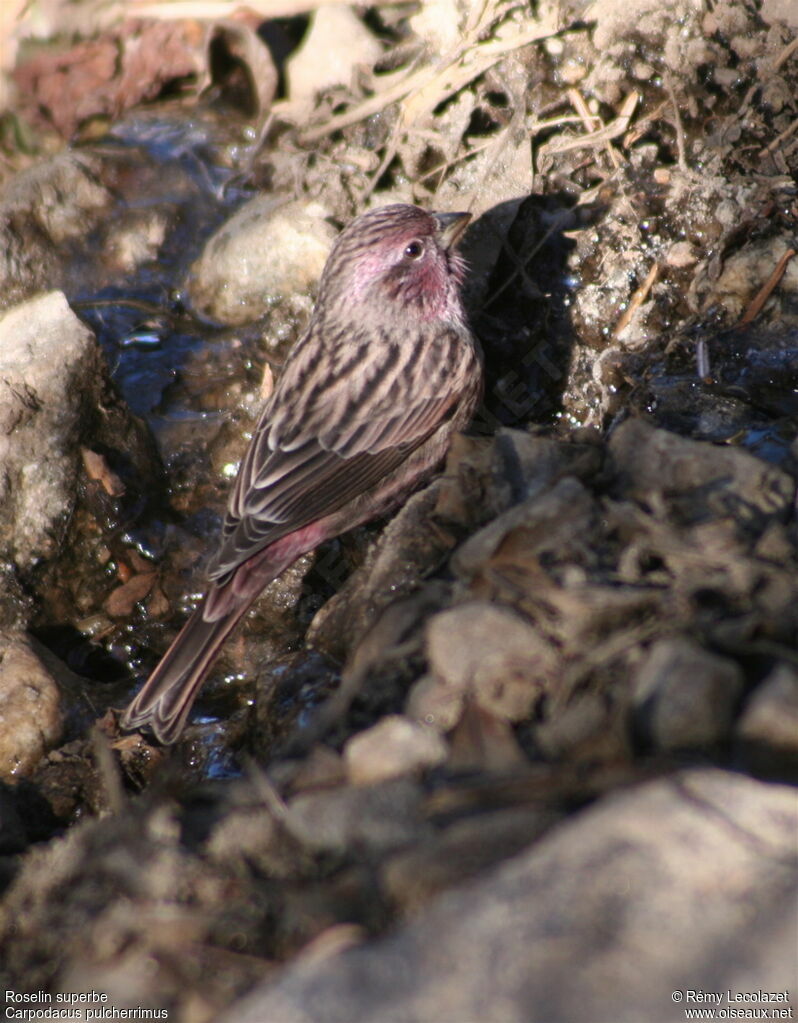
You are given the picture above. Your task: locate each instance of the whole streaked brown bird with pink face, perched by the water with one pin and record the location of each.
(366, 409)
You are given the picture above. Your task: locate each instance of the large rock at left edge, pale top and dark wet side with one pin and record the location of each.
(75, 464)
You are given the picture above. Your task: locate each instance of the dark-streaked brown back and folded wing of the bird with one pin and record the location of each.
(319, 454)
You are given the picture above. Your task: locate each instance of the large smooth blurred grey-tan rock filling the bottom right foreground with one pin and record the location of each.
(684, 882)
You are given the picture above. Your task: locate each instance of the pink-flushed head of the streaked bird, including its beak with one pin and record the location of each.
(405, 262)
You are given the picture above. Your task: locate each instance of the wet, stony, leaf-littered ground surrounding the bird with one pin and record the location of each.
(544, 723)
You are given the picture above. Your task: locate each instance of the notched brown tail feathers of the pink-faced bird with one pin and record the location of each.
(165, 700)
